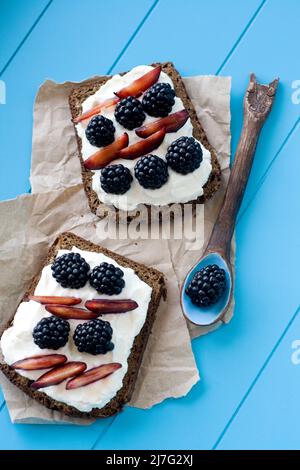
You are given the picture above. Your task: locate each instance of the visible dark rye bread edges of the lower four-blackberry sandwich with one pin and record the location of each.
(150, 276)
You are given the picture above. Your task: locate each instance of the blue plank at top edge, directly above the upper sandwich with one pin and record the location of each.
(194, 35)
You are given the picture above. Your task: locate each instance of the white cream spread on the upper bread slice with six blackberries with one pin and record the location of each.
(179, 188)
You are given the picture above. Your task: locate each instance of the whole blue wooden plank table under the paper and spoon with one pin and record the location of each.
(249, 393)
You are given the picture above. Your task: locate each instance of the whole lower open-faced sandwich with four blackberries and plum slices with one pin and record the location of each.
(77, 339)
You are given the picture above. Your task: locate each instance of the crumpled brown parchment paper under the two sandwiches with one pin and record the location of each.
(30, 223)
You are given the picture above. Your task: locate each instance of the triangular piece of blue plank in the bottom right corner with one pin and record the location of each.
(269, 418)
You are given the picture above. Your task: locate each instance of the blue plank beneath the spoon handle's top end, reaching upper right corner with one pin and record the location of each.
(269, 54)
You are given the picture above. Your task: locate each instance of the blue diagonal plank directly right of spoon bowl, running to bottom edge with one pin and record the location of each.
(267, 292)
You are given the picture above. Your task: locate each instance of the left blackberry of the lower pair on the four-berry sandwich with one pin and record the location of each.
(51, 333)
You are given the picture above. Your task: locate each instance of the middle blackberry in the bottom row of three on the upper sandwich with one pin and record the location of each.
(151, 172)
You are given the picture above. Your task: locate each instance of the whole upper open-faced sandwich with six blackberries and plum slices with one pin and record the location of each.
(140, 140)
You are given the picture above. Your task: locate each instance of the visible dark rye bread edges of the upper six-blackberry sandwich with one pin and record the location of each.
(81, 92)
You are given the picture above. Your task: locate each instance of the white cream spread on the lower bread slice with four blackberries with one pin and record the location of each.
(17, 341)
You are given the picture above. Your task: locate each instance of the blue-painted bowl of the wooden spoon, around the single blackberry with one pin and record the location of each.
(206, 316)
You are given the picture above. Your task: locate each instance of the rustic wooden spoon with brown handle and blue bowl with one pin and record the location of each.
(258, 103)
